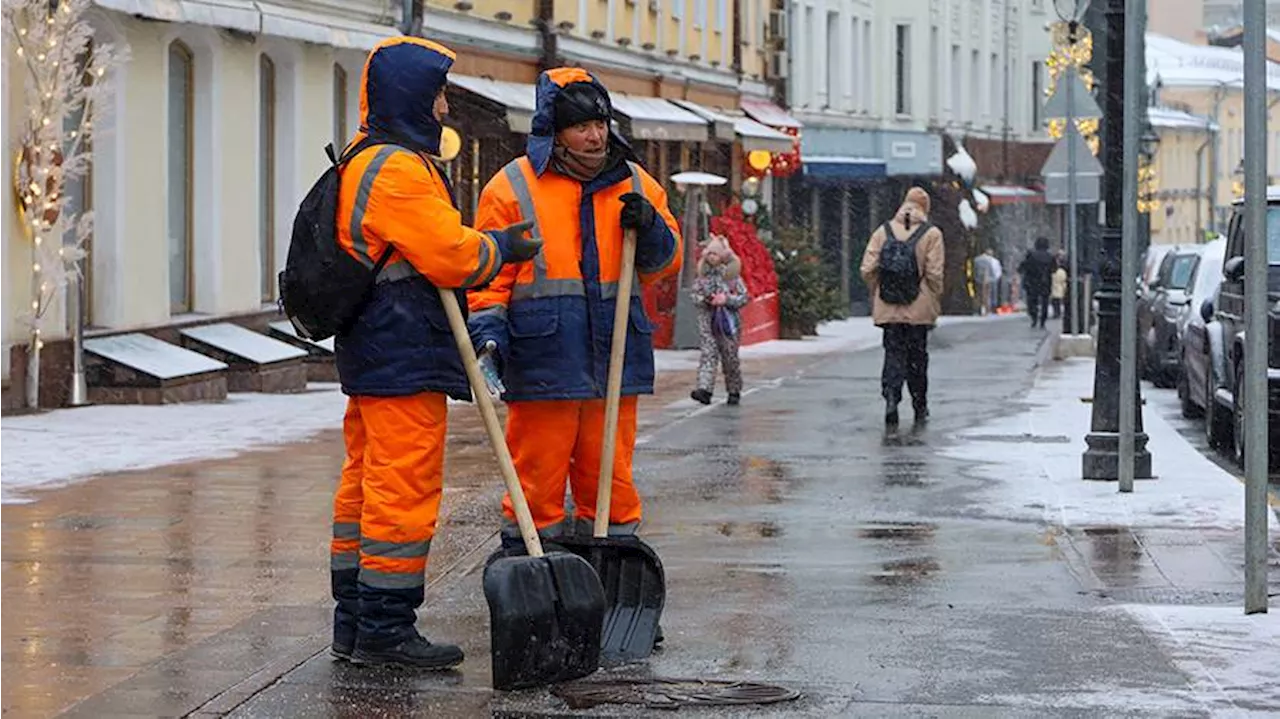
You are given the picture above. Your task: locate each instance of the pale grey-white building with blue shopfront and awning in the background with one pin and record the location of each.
(888, 91)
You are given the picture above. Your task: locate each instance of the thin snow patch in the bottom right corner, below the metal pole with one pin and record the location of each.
(1231, 660)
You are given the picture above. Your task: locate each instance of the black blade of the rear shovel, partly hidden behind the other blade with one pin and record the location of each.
(636, 590)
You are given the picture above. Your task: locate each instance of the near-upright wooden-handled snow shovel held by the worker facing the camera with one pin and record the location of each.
(636, 588)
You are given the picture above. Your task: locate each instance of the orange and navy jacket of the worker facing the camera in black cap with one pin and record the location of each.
(554, 318)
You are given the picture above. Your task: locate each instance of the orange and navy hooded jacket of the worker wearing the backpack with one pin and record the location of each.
(394, 196)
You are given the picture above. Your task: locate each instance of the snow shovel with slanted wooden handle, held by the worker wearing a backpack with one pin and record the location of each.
(546, 611)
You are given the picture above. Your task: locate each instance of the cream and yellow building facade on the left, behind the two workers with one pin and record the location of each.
(221, 117)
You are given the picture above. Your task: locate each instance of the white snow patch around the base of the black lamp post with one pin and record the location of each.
(1040, 479)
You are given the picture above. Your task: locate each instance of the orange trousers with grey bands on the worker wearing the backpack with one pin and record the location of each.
(387, 503)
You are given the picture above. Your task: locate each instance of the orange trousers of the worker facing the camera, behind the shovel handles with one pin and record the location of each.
(557, 441)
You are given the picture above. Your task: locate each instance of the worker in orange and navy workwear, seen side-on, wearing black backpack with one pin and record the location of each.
(399, 364)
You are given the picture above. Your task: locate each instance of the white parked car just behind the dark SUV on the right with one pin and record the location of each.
(1194, 344)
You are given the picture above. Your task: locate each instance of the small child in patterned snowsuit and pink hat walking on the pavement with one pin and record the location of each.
(720, 294)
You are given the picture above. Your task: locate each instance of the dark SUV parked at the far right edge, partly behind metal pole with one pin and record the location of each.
(1224, 418)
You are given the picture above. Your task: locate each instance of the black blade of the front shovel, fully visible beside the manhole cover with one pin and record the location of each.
(545, 616)
